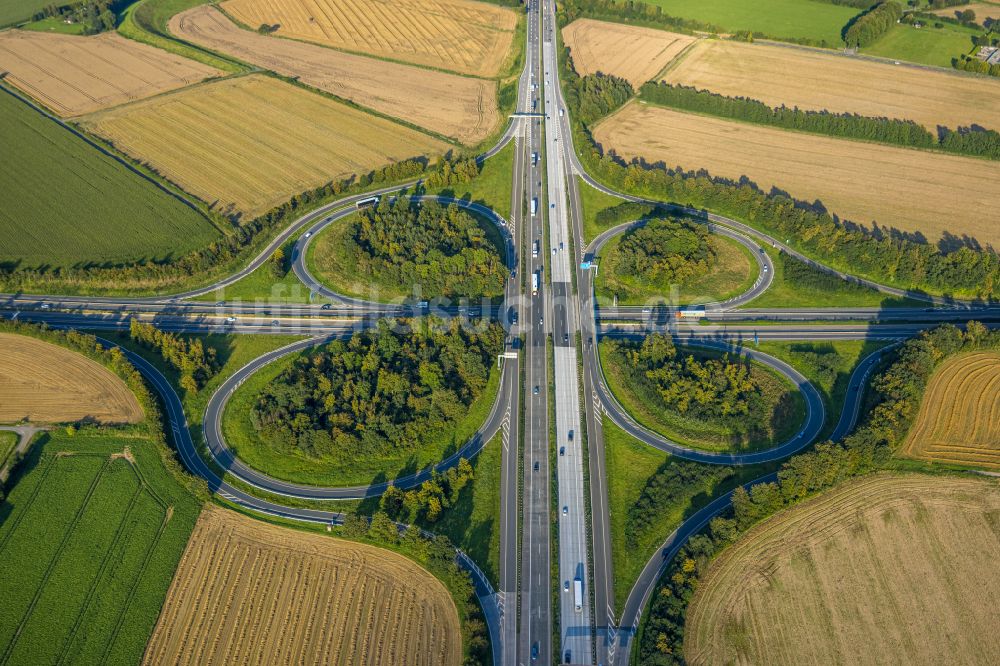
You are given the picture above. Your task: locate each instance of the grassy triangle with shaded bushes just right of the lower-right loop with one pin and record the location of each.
(828, 365)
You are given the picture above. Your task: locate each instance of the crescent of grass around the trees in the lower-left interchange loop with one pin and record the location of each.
(294, 466)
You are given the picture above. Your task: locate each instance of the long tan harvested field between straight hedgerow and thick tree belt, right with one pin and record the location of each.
(911, 190)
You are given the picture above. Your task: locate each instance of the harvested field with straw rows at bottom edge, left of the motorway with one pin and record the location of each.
(247, 592)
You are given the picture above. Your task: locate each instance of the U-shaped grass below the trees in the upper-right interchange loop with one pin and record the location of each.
(733, 273)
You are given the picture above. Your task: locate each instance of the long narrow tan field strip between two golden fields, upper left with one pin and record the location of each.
(456, 106)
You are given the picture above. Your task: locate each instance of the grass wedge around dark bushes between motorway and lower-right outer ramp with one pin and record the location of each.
(630, 464)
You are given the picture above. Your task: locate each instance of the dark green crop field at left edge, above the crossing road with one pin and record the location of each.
(64, 203)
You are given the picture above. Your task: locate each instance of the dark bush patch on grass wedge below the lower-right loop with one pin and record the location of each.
(672, 483)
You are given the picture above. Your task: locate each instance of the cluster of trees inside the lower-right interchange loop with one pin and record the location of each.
(713, 389)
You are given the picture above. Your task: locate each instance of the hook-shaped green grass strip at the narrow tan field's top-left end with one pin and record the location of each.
(146, 21)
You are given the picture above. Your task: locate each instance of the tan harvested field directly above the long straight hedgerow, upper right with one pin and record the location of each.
(816, 80)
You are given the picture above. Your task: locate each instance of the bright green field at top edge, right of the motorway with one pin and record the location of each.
(788, 19)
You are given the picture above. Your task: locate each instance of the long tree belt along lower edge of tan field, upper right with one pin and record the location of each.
(877, 255)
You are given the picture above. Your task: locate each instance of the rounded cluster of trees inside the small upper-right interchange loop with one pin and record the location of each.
(666, 251)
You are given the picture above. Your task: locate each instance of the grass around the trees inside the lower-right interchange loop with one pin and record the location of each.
(785, 403)
